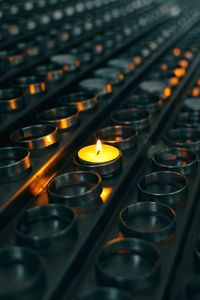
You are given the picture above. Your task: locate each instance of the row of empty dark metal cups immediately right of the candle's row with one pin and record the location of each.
(133, 263)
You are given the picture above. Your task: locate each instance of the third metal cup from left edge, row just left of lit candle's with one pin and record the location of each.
(62, 117)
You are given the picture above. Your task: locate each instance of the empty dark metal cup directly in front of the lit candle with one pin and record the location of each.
(79, 190)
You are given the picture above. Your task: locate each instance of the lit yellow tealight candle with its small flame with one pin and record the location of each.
(98, 154)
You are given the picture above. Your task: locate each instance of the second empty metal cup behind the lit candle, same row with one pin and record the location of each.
(134, 117)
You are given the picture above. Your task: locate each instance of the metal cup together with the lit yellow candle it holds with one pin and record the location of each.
(103, 159)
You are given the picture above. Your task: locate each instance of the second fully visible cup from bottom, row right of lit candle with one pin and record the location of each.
(148, 220)
